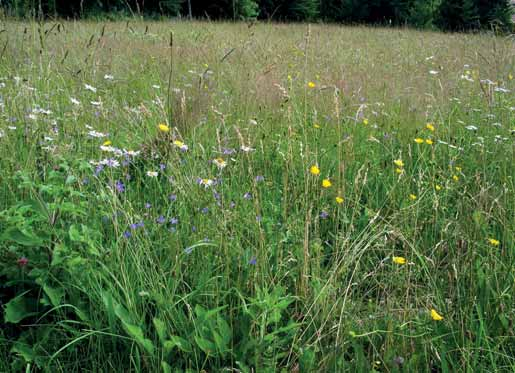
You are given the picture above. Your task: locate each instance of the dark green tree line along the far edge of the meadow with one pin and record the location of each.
(443, 14)
